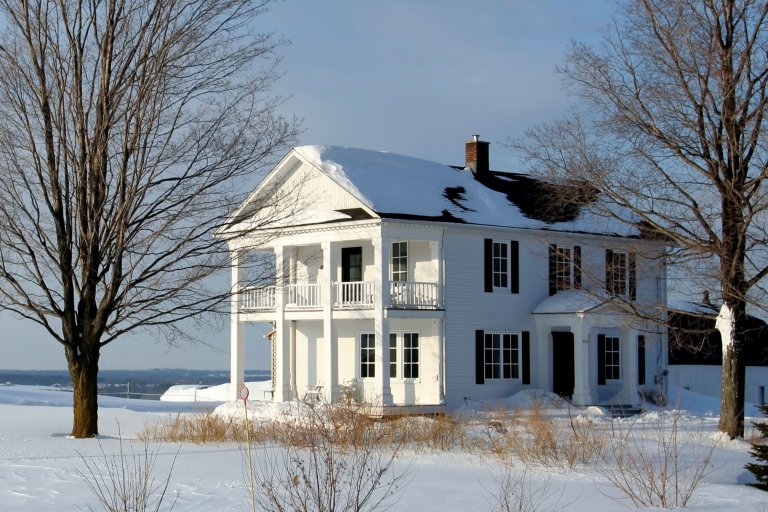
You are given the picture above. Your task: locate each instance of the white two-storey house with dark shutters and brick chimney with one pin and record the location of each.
(416, 283)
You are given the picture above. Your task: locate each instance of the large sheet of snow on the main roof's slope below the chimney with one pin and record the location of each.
(395, 185)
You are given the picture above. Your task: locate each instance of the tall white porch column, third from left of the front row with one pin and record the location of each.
(330, 332)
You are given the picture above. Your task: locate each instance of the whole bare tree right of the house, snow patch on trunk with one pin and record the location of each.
(670, 133)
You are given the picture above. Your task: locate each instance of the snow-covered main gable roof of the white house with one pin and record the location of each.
(393, 186)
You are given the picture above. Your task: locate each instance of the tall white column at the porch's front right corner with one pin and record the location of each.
(381, 302)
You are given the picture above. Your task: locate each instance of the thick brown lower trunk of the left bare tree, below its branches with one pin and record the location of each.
(84, 369)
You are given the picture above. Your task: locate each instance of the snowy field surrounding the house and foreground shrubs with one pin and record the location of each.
(39, 464)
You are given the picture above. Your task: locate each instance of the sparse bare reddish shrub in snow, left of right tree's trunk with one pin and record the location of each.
(657, 463)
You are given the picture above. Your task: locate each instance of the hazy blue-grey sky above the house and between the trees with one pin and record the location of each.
(417, 78)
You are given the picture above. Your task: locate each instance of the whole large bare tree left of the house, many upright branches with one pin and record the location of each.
(127, 128)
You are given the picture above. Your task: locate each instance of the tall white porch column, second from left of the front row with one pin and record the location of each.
(282, 327)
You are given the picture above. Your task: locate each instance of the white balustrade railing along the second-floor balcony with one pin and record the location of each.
(348, 295)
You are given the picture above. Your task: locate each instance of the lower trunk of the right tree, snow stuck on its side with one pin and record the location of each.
(730, 325)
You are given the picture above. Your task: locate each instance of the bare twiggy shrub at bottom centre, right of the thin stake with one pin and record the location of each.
(344, 463)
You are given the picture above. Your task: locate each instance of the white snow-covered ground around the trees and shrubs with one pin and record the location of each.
(38, 462)
